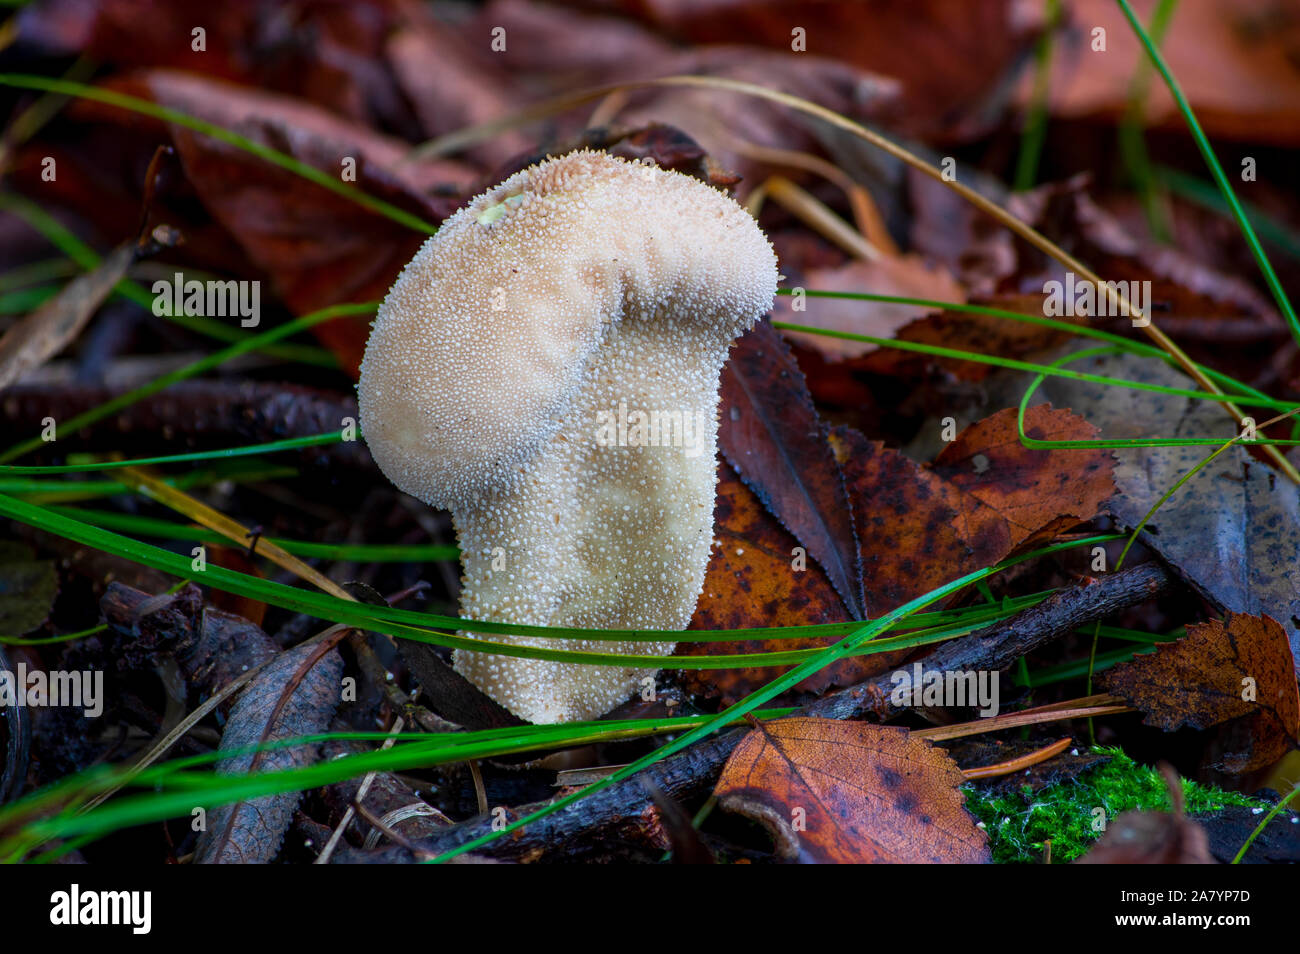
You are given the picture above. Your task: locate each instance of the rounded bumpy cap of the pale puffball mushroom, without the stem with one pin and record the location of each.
(483, 341)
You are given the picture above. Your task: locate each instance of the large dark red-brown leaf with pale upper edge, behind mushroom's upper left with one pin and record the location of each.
(319, 248)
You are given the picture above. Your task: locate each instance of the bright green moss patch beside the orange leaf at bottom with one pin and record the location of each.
(1020, 826)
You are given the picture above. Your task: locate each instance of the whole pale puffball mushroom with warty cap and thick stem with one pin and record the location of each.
(547, 368)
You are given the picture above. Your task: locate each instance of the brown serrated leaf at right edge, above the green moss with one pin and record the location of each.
(1202, 679)
